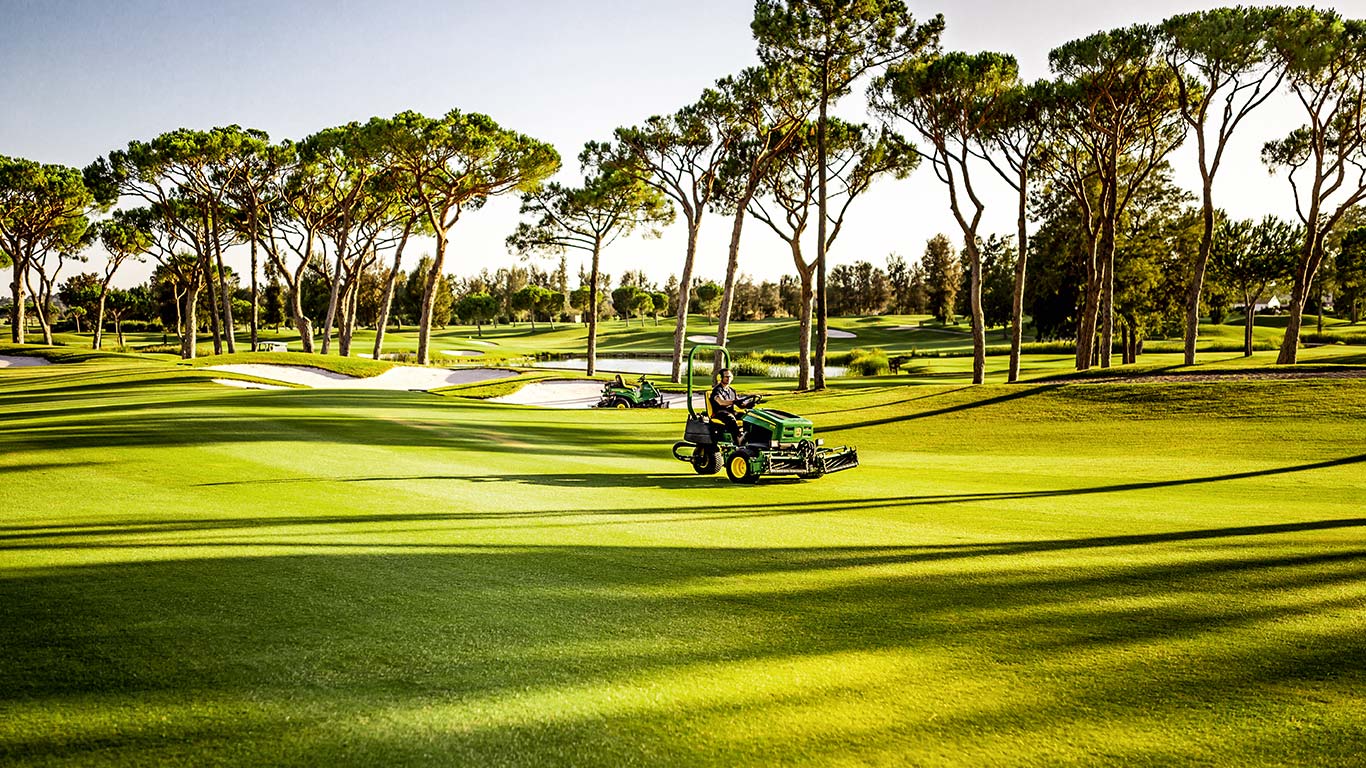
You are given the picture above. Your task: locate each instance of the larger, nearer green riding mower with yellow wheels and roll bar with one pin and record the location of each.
(772, 442)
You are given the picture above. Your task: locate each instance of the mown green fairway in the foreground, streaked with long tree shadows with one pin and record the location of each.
(1130, 575)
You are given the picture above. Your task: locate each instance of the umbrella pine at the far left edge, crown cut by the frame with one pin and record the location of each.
(42, 208)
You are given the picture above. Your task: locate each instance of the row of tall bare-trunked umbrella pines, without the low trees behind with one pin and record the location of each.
(1081, 151)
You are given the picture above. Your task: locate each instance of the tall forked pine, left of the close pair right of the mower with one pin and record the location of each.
(950, 100)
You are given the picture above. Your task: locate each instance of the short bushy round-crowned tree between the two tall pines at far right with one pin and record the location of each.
(1253, 258)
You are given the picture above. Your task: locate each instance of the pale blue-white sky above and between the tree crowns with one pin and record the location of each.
(80, 79)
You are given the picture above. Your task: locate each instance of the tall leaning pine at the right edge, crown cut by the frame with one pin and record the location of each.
(1326, 161)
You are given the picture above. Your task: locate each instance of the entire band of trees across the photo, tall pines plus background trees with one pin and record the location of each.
(1107, 251)
